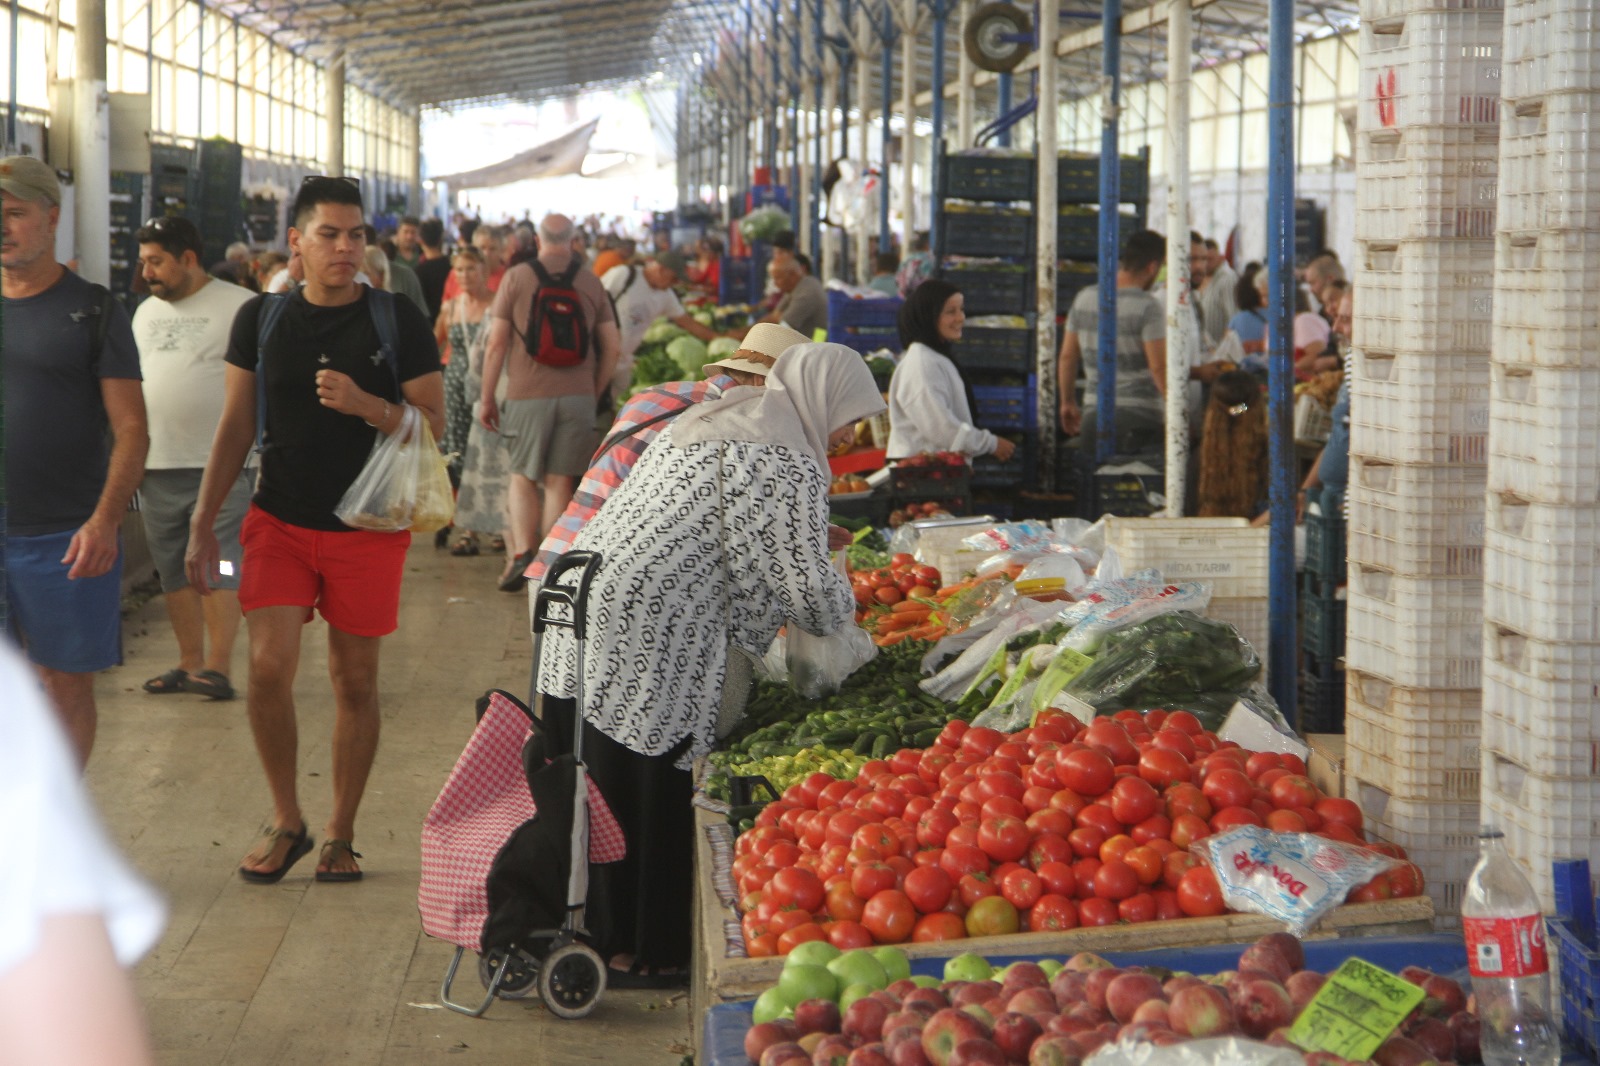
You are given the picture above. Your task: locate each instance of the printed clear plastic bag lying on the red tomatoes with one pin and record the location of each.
(1295, 878)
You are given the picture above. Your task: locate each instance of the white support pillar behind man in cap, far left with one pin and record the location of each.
(92, 145)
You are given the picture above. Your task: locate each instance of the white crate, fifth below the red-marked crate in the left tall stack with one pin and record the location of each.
(1420, 633)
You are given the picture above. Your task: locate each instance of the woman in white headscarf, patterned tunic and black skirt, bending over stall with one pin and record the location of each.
(716, 540)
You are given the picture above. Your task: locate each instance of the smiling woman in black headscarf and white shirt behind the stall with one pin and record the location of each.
(929, 403)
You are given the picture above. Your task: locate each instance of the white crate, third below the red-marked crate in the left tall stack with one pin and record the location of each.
(1420, 407)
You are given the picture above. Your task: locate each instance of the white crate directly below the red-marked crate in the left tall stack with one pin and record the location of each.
(1428, 183)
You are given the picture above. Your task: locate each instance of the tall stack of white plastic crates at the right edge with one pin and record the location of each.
(1542, 583)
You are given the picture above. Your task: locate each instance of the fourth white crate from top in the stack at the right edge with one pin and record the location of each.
(1546, 438)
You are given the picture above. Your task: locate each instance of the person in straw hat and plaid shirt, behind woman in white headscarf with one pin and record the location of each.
(642, 420)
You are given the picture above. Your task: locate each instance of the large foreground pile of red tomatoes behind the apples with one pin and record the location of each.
(1054, 828)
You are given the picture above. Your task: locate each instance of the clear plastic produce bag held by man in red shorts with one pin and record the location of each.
(404, 484)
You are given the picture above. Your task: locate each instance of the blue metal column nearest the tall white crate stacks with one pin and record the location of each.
(1281, 366)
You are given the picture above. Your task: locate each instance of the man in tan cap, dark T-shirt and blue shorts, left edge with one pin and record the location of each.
(74, 451)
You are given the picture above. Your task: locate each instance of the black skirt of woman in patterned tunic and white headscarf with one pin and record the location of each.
(642, 905)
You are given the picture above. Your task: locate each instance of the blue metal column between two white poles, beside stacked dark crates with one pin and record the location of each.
(1111, 198)
